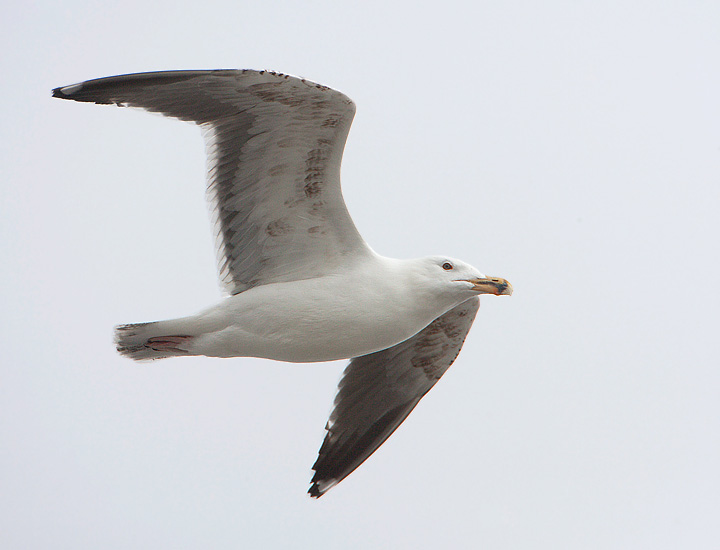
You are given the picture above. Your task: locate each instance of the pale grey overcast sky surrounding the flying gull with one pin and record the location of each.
(571, 147)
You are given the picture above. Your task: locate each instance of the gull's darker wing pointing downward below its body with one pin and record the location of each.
(378, 391)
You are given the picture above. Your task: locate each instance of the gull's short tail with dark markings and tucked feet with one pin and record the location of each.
(147, 341)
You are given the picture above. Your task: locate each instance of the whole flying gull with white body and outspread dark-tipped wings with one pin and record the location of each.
(302, 284)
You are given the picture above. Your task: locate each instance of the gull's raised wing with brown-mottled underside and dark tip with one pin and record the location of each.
(274, 146)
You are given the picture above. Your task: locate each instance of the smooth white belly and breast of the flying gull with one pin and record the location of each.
(356, 312)
